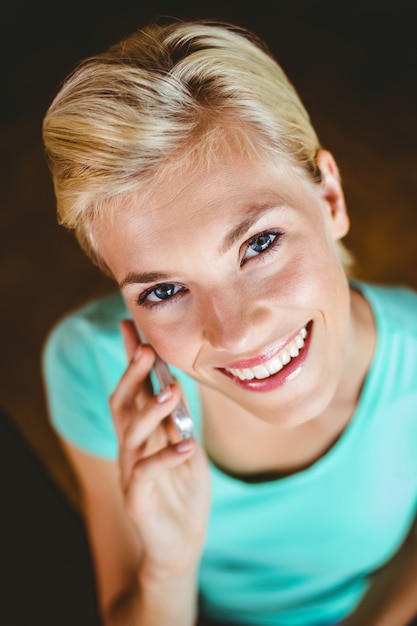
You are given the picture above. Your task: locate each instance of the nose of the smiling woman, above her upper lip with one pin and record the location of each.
(230, 322)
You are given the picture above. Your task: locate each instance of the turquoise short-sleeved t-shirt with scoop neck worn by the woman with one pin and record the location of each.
(297, 551)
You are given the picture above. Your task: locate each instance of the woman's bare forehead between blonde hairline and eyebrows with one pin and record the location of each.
(186, 206)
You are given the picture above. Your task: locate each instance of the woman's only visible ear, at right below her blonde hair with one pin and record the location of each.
(332, 193)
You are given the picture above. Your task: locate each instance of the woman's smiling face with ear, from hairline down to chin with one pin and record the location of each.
(234, 277)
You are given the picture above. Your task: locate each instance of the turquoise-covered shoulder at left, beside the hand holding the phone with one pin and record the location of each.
(83, 359)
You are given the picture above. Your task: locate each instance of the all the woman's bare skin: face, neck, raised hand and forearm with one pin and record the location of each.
(232, 306)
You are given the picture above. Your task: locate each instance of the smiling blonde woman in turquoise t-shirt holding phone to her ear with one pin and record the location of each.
(189, 170)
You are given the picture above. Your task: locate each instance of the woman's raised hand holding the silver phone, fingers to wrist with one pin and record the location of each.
(165, 486)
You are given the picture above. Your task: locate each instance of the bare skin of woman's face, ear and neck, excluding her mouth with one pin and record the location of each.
(231, 305)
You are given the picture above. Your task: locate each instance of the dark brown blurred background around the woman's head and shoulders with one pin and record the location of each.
(354, 65)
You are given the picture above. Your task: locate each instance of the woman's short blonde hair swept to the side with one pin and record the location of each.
(165, 91)
